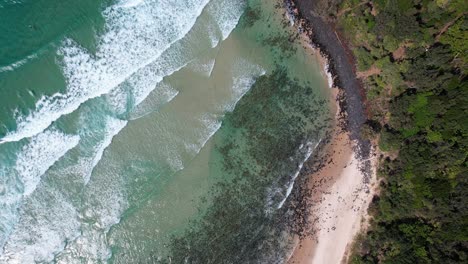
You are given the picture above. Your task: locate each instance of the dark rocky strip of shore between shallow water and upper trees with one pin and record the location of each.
(325, 40)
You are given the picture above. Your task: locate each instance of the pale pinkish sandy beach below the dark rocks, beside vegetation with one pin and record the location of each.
(341, 196)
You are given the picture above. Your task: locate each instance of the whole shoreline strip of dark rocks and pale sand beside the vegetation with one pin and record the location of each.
(342, 186)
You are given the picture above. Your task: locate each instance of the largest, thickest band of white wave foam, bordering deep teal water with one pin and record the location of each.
(134, 38)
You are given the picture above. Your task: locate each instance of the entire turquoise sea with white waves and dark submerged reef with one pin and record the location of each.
(152, 131)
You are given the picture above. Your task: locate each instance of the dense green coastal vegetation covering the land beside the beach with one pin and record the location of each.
(412, 58)
